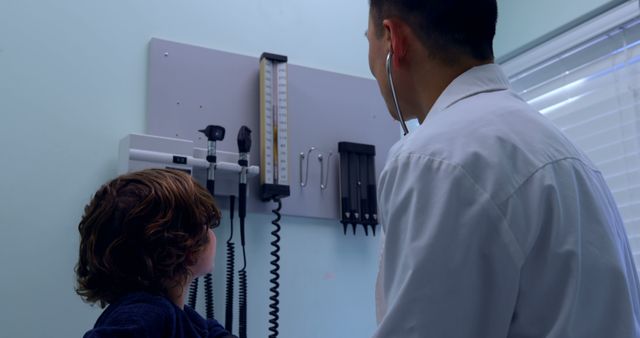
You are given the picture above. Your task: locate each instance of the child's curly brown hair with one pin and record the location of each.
(141, 232)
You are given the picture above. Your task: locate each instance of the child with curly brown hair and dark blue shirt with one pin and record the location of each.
(143, 238)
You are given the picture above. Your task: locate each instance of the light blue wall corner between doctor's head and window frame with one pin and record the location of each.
(523, 21)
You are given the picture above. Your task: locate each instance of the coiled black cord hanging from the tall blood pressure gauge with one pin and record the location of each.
(275, 262)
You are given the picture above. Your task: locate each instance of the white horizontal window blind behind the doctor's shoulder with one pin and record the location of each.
(591, 91)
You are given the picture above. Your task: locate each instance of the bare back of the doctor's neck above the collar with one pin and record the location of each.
(430, 76)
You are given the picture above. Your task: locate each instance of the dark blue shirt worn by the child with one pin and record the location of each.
(142, 315)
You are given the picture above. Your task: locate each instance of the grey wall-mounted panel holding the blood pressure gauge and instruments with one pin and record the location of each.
(290, 109)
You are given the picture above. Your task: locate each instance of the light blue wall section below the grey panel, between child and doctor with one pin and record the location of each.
(327, 283)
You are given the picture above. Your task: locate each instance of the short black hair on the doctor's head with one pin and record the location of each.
(447, 27)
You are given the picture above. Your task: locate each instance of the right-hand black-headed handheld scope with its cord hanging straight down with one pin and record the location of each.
(244, 146)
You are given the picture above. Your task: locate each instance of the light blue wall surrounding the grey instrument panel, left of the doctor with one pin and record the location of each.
(73, 82)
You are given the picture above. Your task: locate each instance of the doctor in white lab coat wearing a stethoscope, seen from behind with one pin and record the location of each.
(495, 224)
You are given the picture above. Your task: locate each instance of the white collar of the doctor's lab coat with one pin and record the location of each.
(481, 79)
